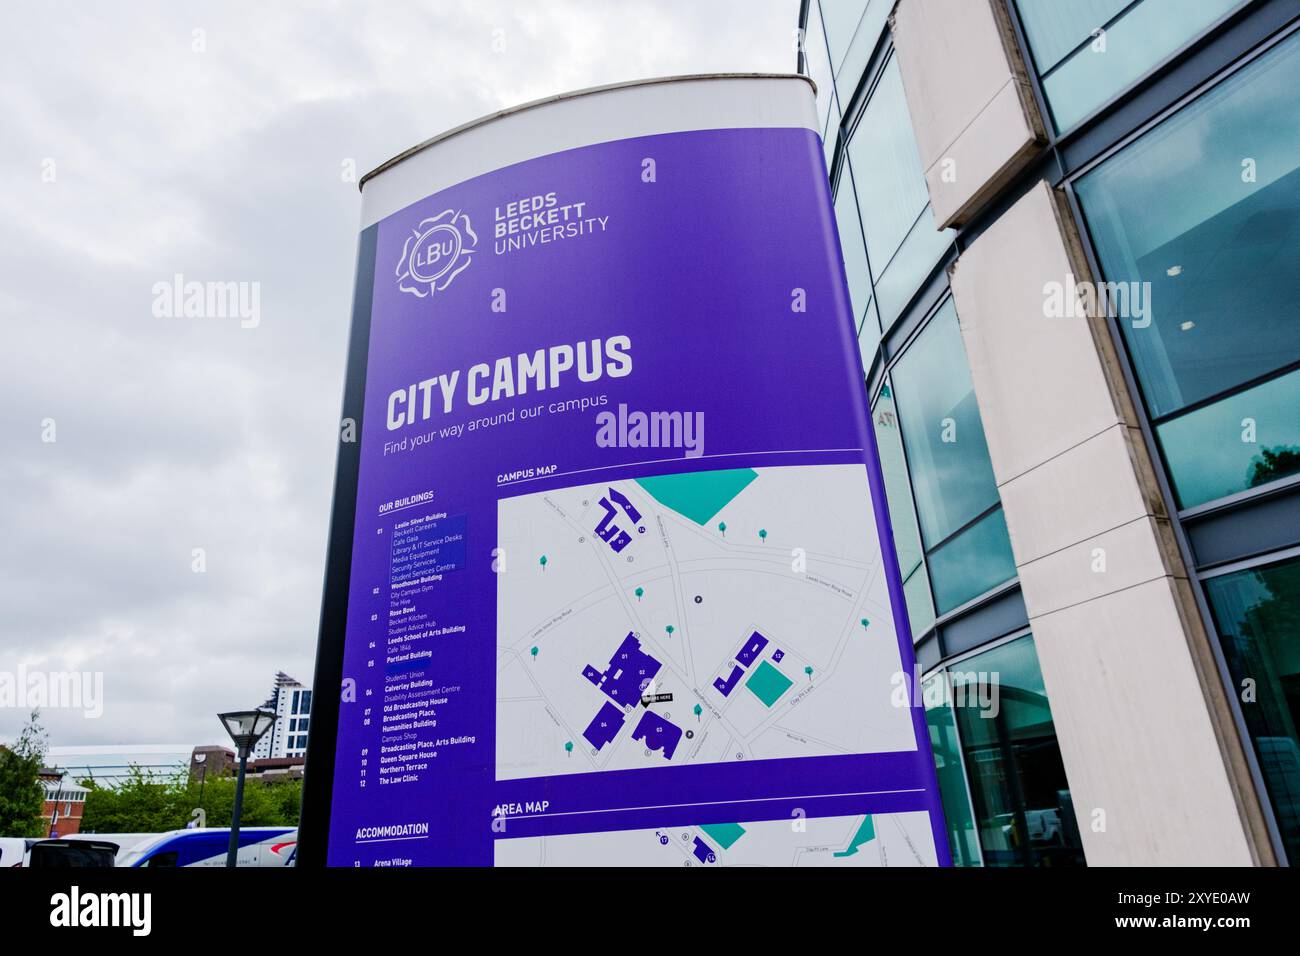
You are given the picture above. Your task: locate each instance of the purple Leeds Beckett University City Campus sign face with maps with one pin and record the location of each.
(622, 587)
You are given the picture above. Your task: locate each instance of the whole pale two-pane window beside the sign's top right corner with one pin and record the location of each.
(903, 244)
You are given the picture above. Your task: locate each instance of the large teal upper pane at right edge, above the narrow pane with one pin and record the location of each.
(1207, 210)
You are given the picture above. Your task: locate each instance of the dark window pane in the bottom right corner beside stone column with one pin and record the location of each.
(1258, 615)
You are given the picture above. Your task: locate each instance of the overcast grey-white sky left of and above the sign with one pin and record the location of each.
(145, 140)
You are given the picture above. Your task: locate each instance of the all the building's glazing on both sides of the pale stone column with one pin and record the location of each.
(1172, 133)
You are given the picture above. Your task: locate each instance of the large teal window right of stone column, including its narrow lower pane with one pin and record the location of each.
(1203, 213)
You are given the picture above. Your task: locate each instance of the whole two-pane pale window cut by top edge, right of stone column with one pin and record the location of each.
(1089, 51)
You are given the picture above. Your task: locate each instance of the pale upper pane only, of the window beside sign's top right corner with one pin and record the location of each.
(891, 183)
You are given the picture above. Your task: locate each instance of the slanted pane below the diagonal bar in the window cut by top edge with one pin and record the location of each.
(1138, 42)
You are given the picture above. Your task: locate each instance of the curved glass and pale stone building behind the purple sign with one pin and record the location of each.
(1147, 661)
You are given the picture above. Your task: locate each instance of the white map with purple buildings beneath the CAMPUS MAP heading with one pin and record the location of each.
(699, 618)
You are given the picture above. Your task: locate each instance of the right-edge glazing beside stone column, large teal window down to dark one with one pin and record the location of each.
(1201, 210)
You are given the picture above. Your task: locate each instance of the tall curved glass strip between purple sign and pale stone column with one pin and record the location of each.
(950, 531)
